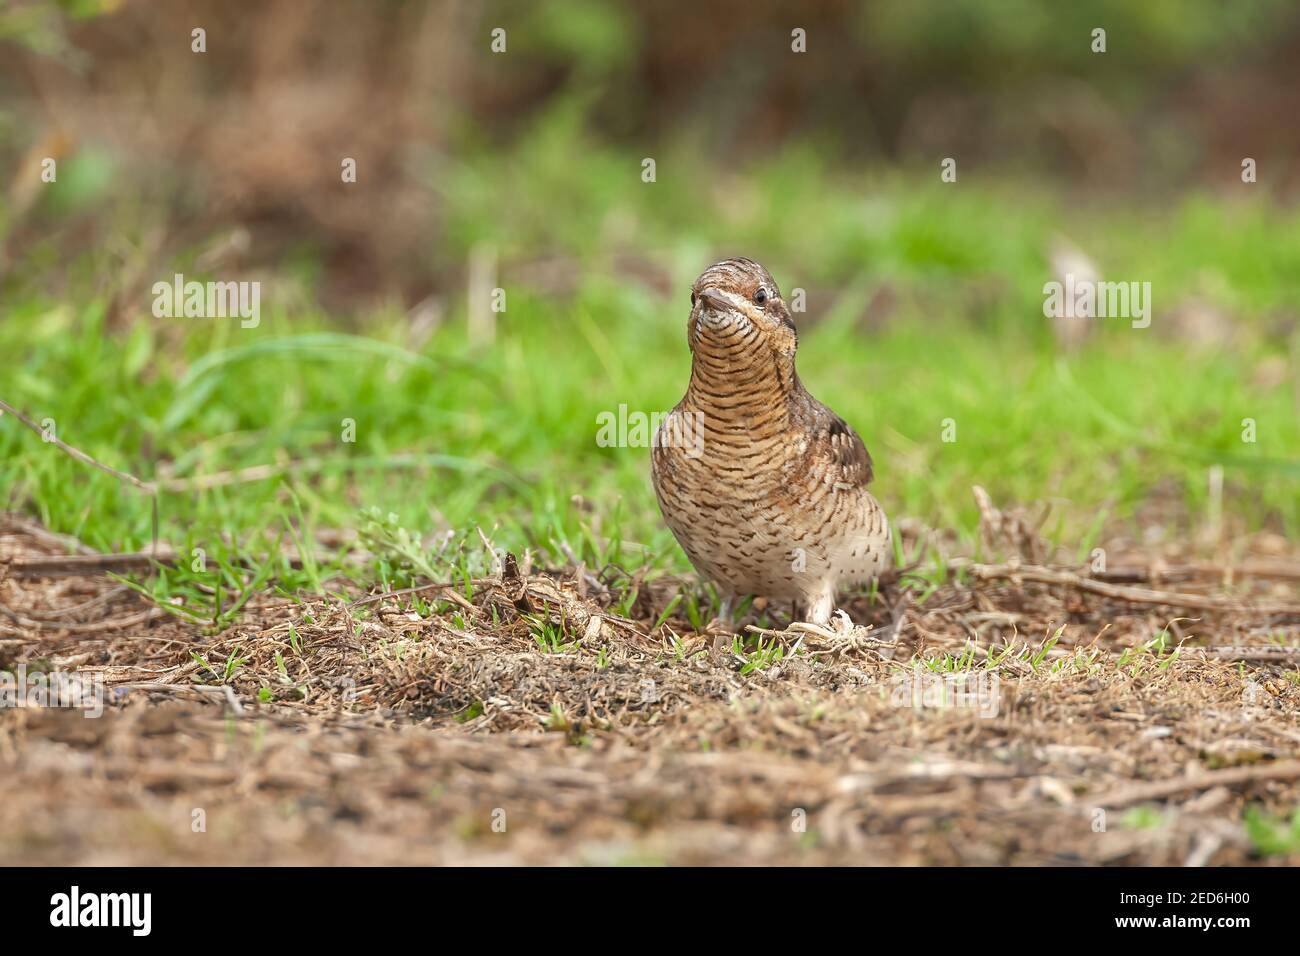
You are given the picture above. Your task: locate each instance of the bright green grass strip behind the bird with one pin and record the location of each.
(449, 438)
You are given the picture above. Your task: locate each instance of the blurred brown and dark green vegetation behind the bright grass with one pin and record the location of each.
(170, 148)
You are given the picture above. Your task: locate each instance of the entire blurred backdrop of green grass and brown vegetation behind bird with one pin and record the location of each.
(523, 171)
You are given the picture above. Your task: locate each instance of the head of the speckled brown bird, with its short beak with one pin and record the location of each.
(736, 310)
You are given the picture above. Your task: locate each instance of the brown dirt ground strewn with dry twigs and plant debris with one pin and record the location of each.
(358, 732)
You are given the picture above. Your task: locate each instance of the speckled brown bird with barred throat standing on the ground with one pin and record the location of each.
(764, 487)
